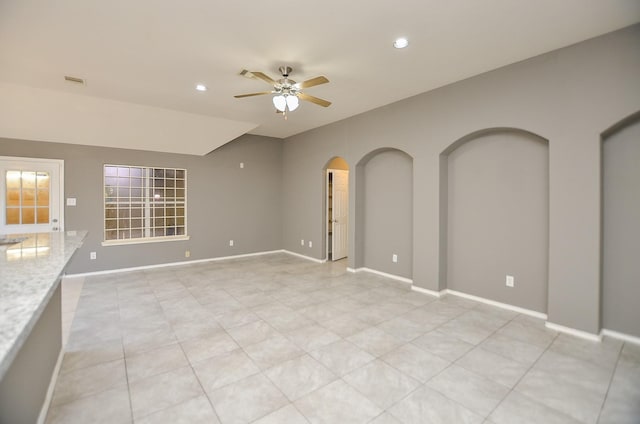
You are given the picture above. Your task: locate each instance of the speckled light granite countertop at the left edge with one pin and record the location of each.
(29, 273)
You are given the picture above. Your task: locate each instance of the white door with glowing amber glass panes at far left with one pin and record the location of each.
(31, 193)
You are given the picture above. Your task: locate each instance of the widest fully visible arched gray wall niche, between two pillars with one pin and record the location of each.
(494, 216)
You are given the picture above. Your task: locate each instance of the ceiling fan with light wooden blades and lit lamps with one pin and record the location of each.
(287, 91)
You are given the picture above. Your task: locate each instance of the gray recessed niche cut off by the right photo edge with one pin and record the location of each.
(621, 230)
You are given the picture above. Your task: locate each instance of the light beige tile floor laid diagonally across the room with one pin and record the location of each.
(276, 339)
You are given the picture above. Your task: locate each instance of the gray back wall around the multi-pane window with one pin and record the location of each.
(224, 201)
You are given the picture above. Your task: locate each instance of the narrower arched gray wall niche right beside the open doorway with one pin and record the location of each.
(384, 212)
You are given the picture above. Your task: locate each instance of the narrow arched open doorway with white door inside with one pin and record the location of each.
(337, 209)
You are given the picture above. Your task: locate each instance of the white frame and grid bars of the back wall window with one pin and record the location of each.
(146, 199)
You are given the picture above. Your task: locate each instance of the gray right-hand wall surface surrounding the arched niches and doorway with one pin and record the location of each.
(569, 97)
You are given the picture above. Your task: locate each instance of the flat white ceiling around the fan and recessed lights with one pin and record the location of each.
(153, 52)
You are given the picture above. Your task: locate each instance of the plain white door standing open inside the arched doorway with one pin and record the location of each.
(340, 209)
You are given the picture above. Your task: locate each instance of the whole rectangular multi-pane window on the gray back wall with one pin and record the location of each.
(144, 204)
